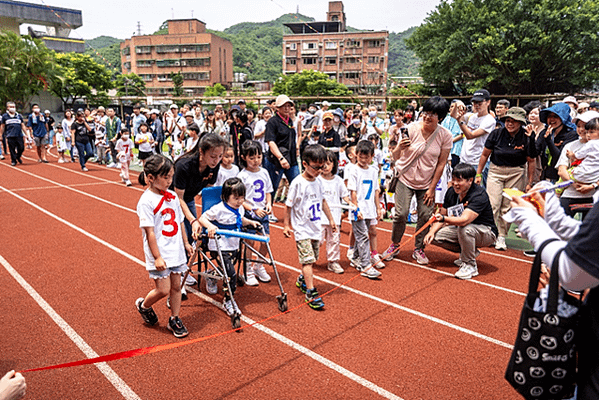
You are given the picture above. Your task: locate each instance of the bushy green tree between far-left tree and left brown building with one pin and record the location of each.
(77, 75)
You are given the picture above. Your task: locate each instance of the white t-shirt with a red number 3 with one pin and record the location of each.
(167, 229)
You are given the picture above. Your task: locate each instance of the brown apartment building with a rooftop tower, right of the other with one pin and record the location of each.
(356, 59)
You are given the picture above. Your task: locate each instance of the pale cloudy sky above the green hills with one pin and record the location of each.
(119, 18)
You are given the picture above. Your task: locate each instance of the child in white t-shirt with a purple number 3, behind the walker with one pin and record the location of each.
(257, 202)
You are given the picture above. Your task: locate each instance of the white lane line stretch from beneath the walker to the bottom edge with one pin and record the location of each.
(304, 350)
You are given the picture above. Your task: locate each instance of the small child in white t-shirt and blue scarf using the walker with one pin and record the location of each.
(228, 214)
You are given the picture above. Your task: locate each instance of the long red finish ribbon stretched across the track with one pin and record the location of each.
(155, 349)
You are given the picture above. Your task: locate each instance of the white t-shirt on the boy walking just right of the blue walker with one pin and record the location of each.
(305, 199)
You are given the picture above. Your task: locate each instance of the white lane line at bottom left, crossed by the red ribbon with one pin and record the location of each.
(108, 372)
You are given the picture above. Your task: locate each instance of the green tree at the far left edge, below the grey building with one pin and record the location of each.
(25, 67)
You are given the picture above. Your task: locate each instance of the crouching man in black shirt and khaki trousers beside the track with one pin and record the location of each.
(465, 222)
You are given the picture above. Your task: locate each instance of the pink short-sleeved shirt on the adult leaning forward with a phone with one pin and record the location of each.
(420, 174)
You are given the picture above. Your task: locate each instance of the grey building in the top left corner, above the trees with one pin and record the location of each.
(58, 21)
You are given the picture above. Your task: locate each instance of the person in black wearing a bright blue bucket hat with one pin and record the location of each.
(559, 131)
